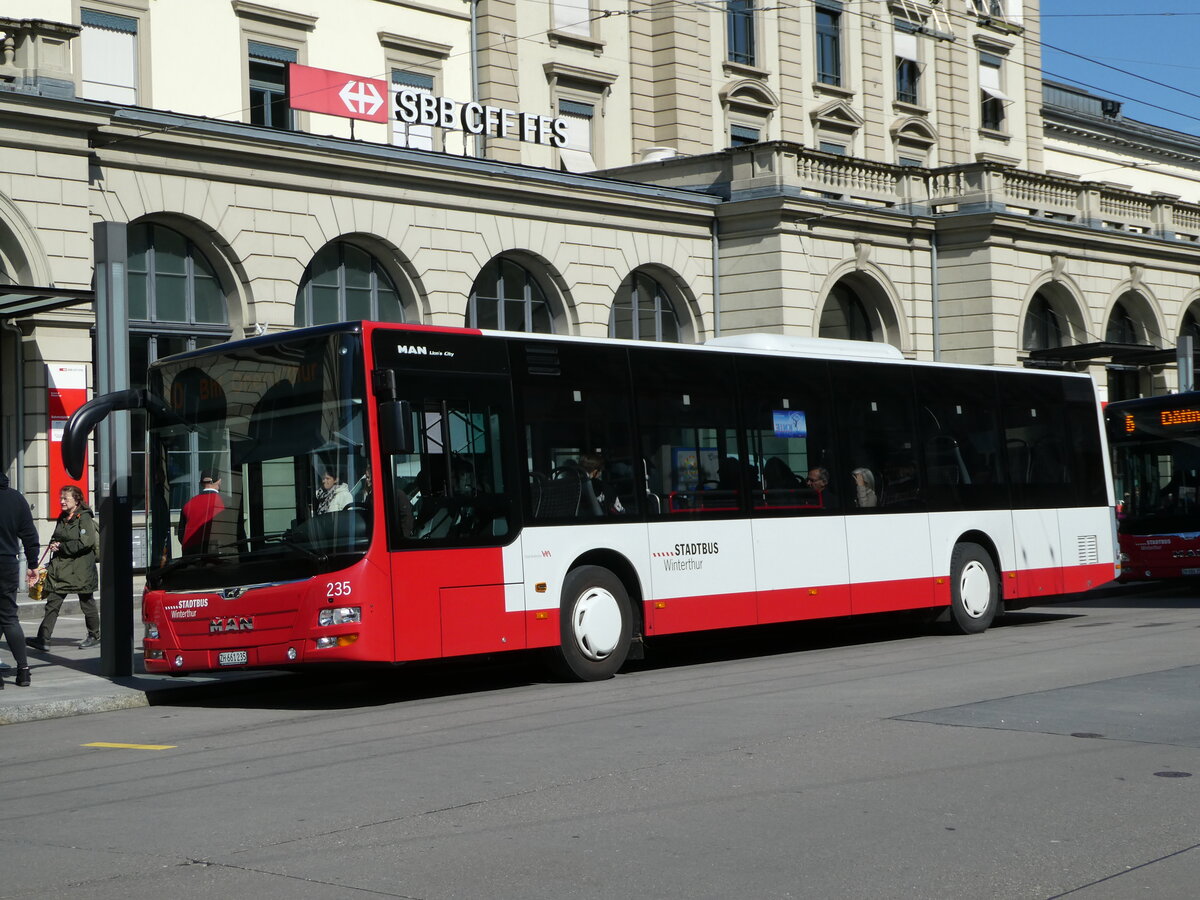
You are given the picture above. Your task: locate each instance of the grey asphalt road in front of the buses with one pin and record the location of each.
(1058, 755)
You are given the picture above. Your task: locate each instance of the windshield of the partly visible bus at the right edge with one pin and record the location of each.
(1159, 483)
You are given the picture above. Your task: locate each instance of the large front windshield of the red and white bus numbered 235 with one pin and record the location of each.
(259, 464)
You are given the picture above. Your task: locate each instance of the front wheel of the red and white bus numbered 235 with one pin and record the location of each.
(596, 626)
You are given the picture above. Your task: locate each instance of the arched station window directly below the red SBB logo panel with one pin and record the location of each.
(345, 284)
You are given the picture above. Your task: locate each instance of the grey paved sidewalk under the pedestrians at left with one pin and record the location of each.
(69, 682)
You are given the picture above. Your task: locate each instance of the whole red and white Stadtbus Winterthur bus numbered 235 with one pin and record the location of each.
(502, 493)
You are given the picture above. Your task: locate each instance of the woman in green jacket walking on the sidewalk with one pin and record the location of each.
(73, 569)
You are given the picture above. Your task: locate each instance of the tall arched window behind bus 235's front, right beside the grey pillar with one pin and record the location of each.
(177, 304)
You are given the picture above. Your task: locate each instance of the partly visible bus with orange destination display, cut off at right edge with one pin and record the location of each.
(1156, 449)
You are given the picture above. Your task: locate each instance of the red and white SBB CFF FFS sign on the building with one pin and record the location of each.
(320, 91)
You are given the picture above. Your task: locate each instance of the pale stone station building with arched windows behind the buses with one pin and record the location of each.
(891, 171)
